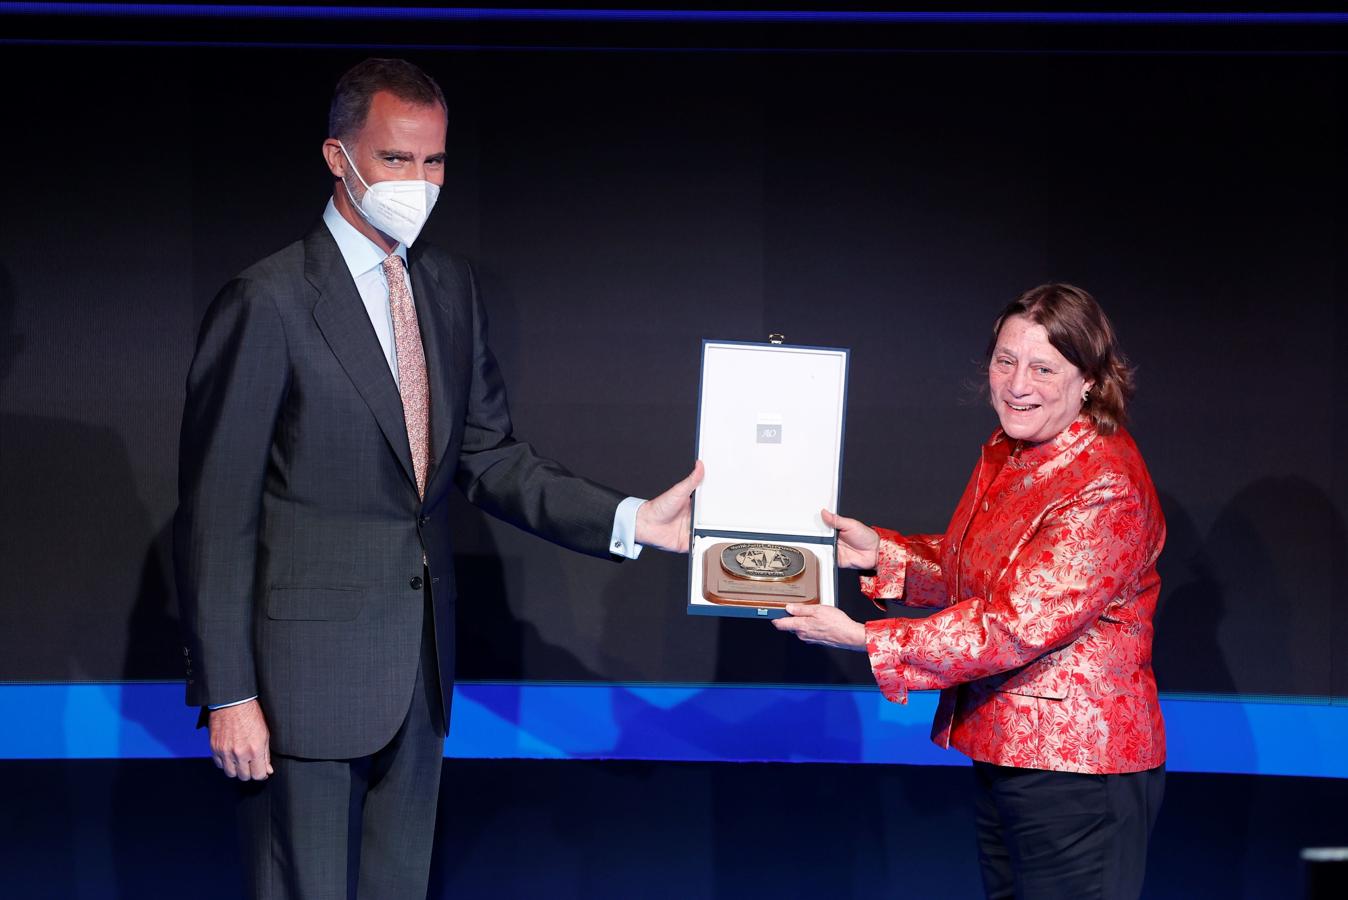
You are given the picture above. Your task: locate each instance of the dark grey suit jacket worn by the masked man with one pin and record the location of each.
(300, 536)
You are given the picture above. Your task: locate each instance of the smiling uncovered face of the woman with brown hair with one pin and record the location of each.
(1033, 387)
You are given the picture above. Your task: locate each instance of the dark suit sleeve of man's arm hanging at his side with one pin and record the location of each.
(235, 390)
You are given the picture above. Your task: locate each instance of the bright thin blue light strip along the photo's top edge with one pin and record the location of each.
(479, 14)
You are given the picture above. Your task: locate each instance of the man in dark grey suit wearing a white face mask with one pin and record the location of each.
(340, 389)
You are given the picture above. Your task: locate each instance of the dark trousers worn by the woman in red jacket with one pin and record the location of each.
(1064, 835)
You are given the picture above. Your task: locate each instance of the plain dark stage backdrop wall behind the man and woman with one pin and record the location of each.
(621, 208)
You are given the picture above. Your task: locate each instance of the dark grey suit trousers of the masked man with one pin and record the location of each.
(365, 828)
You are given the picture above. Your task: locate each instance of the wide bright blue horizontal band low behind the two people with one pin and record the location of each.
(673, 723)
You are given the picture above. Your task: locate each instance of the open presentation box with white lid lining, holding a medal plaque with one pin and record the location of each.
(770, 433)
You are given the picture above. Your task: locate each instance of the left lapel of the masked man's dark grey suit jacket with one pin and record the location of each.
(342, 317)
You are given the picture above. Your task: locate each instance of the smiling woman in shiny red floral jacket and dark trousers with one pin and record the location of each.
(1045, 584)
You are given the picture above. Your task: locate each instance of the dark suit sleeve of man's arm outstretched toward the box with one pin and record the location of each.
(509, 480)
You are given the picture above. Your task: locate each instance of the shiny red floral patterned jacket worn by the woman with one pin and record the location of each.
(1048, 580)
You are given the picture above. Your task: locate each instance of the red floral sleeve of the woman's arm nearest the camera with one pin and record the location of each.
(1063, 580)
